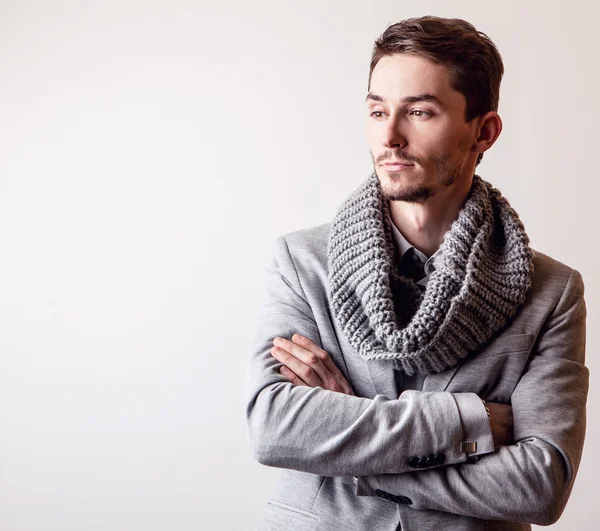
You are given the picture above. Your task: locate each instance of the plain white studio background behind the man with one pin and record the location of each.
(150, 154)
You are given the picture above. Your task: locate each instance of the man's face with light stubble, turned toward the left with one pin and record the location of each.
(431, 136)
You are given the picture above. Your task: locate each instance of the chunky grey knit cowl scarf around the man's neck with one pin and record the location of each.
(479, 283)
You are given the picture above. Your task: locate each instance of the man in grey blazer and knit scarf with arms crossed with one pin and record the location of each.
(417, 364)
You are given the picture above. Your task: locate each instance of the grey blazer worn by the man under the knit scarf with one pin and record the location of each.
(321, 439)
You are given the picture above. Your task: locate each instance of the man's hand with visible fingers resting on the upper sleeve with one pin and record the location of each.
(305, 363)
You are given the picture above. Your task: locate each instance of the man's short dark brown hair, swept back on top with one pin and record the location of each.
(474, 63)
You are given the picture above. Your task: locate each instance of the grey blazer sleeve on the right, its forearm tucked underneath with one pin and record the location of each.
(531, 480)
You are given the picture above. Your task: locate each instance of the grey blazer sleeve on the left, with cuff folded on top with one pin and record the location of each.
(323, 432)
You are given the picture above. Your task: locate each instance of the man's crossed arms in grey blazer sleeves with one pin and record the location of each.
(333, 433)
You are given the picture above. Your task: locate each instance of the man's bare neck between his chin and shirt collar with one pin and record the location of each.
(424, 225)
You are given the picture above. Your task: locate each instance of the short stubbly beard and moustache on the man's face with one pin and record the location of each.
(447, 167)
